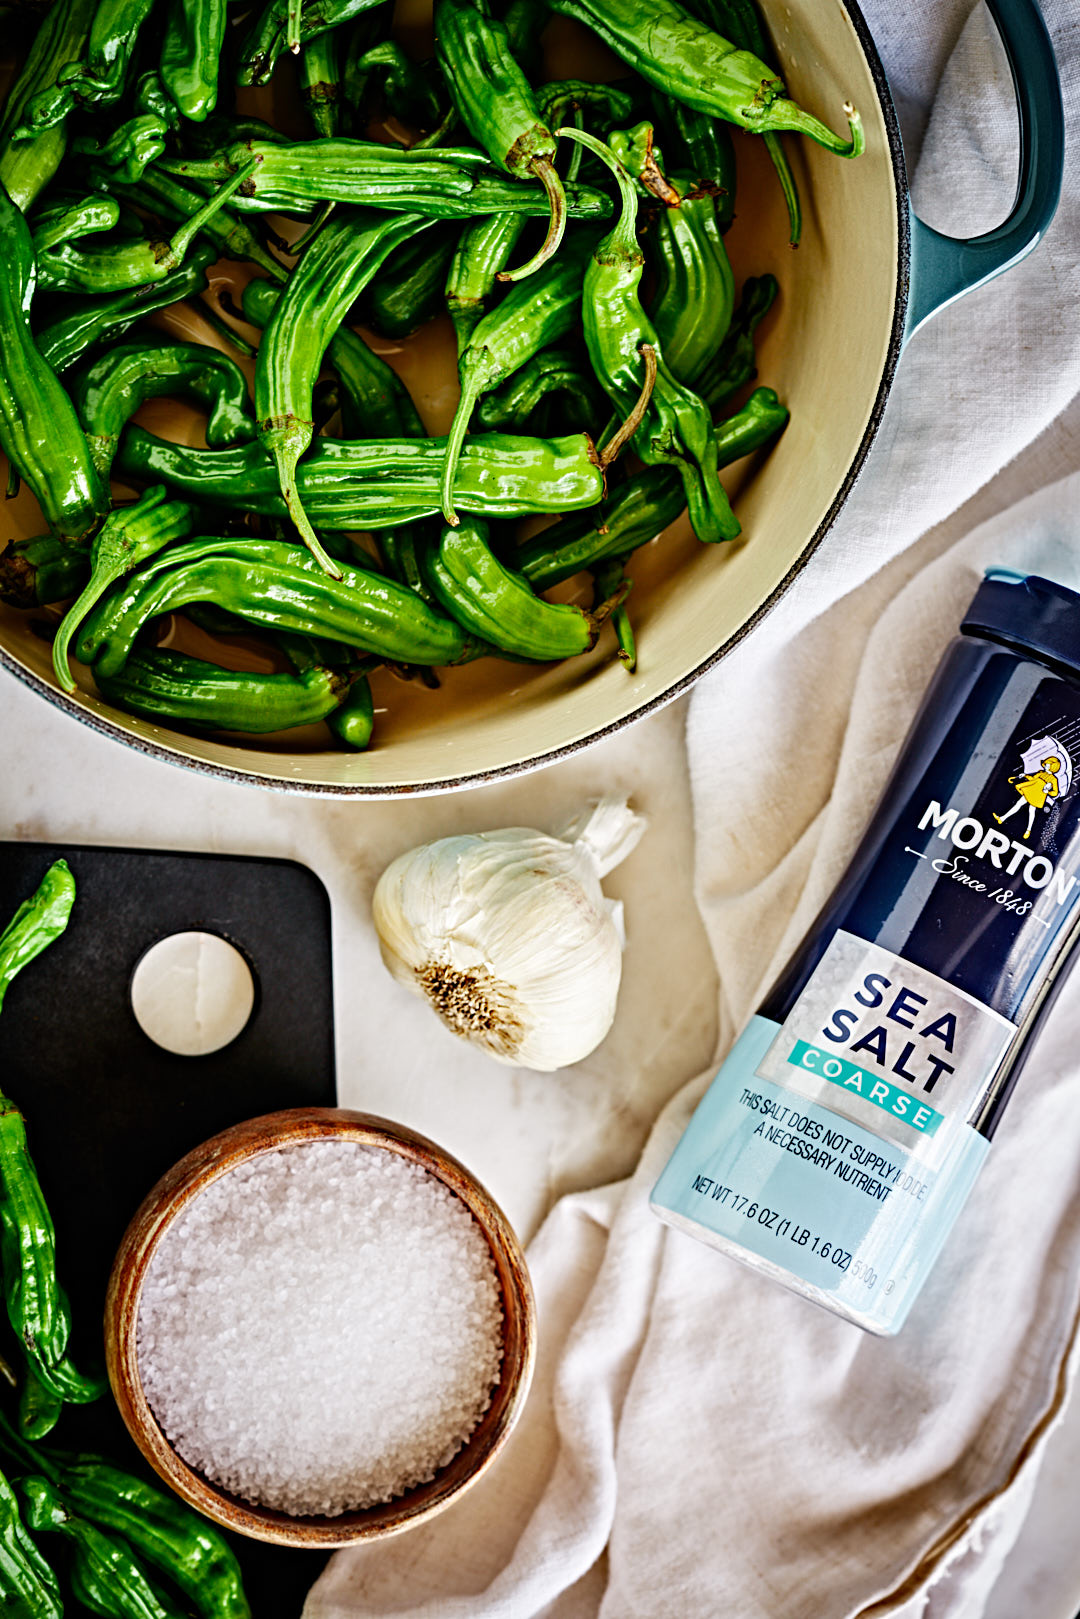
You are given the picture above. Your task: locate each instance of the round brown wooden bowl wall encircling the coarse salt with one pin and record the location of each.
(176, 1192)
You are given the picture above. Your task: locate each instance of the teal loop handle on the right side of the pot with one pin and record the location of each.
(945, 268)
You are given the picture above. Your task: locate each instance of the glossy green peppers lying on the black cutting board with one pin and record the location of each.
(132, 1550)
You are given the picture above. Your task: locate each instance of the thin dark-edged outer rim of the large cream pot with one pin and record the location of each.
(383, 791)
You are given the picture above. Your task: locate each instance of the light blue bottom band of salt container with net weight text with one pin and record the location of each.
(853, 1220)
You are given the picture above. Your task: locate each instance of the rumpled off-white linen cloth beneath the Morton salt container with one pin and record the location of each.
(699, 1440)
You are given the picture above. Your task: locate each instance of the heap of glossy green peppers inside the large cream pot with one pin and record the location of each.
(572, 232)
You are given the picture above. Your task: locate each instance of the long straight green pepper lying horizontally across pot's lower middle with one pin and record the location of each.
(376, 485)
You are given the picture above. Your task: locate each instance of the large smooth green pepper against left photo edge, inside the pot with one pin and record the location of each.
(40, 431)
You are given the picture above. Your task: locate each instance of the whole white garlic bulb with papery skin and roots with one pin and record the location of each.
(509, 935)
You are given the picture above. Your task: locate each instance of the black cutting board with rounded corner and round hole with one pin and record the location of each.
(109, 1111)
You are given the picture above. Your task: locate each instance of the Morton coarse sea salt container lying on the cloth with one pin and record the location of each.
(838, 1144)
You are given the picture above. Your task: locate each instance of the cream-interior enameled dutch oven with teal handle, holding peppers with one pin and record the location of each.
(867, 276)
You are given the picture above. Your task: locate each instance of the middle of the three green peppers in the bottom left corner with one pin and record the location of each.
(106, 1578)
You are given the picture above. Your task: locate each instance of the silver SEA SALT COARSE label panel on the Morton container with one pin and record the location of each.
(888, 1045)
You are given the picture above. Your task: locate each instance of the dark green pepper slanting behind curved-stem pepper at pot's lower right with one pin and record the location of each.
(644, 506)
